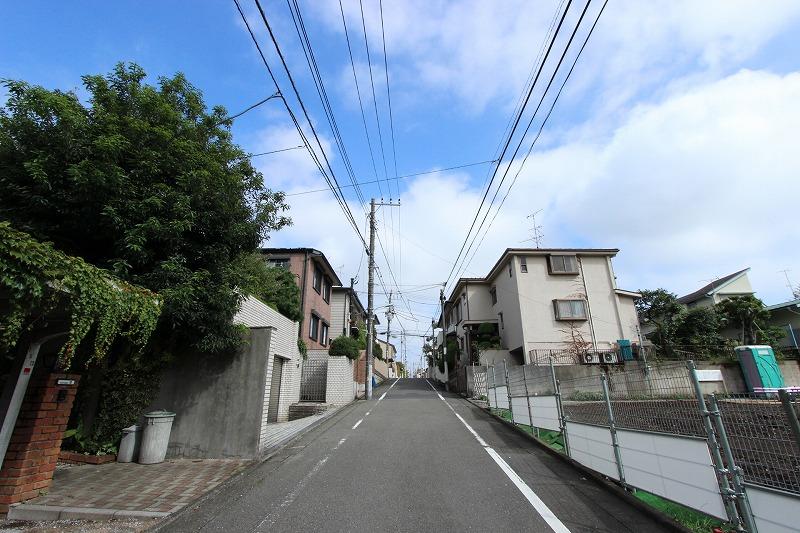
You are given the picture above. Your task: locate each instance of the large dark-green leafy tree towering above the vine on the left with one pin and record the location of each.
(142, 181)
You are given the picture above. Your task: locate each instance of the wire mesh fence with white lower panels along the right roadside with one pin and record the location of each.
(628, 423)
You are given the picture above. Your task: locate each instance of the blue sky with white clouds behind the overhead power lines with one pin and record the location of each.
(674, 140)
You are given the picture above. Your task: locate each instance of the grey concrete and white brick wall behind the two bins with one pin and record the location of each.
(225, 402)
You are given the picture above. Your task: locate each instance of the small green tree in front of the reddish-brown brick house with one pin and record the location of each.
(275, 287)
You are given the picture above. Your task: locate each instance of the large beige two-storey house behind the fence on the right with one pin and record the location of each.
(540, 300)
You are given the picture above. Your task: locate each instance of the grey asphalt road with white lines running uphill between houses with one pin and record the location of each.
(415, 460)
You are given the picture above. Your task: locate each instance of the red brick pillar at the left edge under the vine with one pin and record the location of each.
(36, 442)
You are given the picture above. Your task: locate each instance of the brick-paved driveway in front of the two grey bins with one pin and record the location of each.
(158, 488)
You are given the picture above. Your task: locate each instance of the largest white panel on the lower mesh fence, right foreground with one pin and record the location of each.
(677, 468)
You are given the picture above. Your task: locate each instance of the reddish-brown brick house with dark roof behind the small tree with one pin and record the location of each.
(316, 278)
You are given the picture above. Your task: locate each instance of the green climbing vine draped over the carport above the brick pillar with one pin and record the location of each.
(37, 278)
